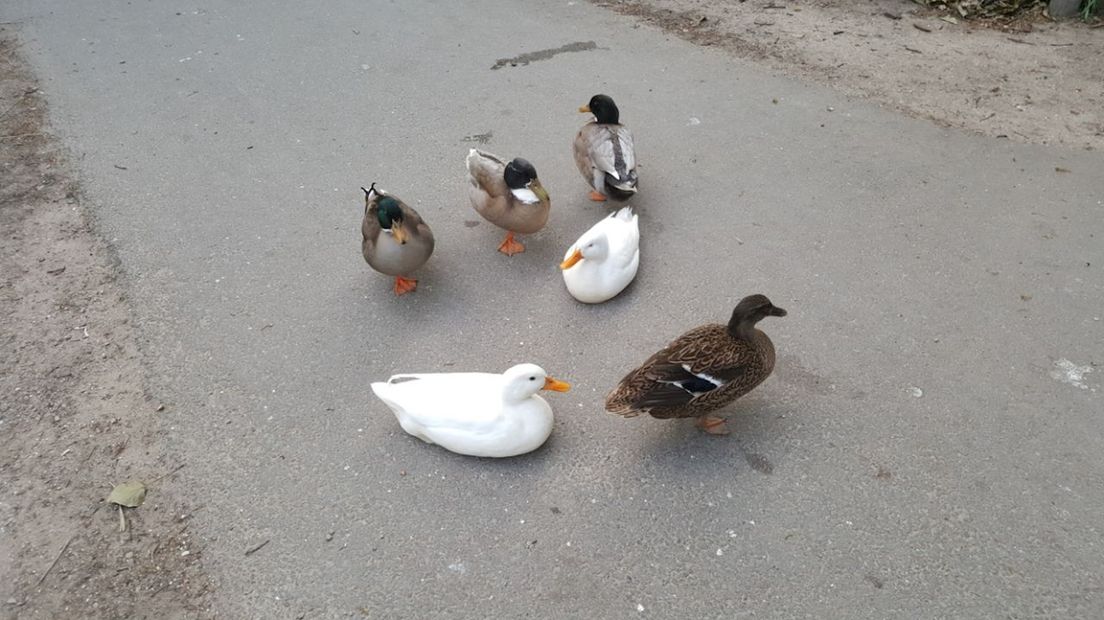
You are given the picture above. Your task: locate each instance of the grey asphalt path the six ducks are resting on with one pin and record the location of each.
(925, 450)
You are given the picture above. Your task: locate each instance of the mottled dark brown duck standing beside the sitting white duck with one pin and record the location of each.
(703, 370)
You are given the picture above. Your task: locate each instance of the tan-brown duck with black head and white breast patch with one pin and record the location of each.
(509, 196)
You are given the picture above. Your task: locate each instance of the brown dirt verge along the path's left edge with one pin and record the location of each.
(75, 418)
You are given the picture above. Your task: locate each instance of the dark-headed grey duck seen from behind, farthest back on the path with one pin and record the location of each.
(604, 152)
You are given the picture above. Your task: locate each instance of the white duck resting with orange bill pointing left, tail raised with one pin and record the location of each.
(604, 260)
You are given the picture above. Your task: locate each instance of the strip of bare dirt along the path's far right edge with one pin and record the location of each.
(1032, 81)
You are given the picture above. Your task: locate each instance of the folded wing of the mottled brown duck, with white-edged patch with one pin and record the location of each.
(699, 362)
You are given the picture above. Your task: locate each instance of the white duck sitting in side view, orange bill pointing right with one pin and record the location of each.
(475, 414)
